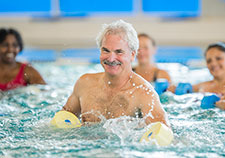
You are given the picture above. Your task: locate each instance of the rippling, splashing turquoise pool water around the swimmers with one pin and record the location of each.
(25, 114)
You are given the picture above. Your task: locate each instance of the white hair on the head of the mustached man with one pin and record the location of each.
(122, 28)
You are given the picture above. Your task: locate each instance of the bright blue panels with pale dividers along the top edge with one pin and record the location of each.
(85, 8)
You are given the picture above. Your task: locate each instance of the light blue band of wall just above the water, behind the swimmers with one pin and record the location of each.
(165, 54)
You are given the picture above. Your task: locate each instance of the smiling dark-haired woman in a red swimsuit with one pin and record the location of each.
(14, 74)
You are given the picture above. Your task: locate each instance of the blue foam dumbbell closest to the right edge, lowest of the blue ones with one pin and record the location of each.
(209, 101)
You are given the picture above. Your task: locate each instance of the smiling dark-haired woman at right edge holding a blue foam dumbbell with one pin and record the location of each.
(215, 61)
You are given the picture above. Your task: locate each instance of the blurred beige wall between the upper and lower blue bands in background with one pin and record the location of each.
(77, 32)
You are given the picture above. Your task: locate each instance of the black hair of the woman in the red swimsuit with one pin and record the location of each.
(5, 32)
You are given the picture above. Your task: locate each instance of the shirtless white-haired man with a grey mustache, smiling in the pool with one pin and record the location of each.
(117, 91)
